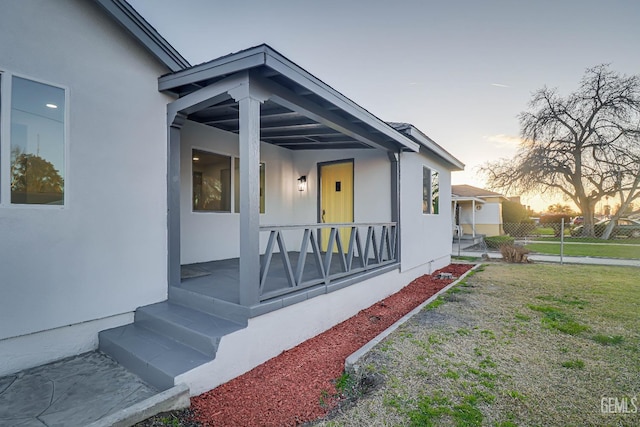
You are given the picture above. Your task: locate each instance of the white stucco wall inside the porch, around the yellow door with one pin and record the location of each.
(209, 236)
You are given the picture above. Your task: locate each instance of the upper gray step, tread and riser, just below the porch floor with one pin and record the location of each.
(198, 330)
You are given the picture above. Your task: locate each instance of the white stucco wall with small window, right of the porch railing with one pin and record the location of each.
(425, 238)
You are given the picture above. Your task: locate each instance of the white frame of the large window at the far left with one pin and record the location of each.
(6, 86)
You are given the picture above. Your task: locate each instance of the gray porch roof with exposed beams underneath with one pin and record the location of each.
(300, 112)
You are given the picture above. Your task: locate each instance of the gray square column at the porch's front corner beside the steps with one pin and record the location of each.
(249, 131)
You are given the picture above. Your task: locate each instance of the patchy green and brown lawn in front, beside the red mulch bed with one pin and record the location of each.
(512, 345)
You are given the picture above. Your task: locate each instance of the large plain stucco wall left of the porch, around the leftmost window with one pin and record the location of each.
(104, 253)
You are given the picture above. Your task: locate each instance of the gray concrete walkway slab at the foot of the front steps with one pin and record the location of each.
(76, 391)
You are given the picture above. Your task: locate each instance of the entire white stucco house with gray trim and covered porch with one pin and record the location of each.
(193, 221)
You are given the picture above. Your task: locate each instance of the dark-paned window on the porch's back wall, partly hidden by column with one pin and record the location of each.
(212, 177)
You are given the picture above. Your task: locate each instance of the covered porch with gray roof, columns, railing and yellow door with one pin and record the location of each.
(258, 259)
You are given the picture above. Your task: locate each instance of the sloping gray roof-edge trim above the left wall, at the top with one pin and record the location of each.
(124, 14)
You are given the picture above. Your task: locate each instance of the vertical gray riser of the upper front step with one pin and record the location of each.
(204, 344)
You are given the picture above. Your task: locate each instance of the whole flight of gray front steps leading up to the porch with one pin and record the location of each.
(168, 339)
